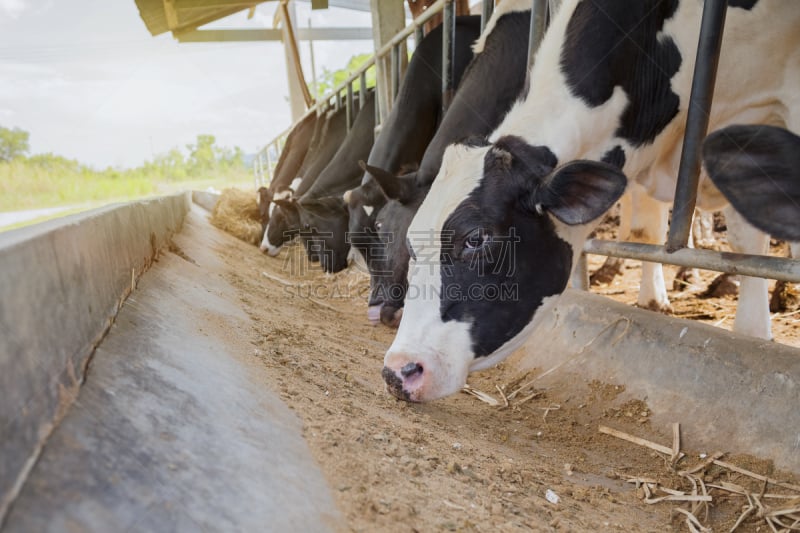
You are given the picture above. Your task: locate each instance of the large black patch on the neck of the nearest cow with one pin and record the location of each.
(610, 43)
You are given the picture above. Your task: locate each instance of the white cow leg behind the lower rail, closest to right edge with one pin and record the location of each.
(752, 311)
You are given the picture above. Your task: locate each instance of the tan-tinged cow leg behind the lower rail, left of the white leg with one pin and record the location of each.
(649, 225)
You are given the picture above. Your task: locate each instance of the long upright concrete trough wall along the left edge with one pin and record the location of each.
(62, 284)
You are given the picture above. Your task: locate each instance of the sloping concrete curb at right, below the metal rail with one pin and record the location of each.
(730, 392)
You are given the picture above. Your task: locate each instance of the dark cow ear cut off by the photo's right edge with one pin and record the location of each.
(757, 168)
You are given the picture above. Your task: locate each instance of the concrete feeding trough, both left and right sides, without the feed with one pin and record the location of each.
(124, 384)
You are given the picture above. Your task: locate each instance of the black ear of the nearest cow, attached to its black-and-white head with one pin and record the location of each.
(580, 191)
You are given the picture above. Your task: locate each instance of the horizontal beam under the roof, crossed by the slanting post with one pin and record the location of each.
(303, 34)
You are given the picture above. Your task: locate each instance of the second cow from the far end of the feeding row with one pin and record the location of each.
(329, 134)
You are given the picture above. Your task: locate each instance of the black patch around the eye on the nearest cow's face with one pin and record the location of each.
(522, 261)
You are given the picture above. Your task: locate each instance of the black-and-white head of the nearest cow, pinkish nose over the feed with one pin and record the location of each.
(492, 245)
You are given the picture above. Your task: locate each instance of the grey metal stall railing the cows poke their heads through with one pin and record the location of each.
(675, 251)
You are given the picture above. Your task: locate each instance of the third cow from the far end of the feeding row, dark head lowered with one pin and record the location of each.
(319, 215)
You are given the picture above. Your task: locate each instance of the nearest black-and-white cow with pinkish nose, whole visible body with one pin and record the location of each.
(607, 99)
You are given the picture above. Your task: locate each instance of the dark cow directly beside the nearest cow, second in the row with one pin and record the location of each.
(474, 111)
